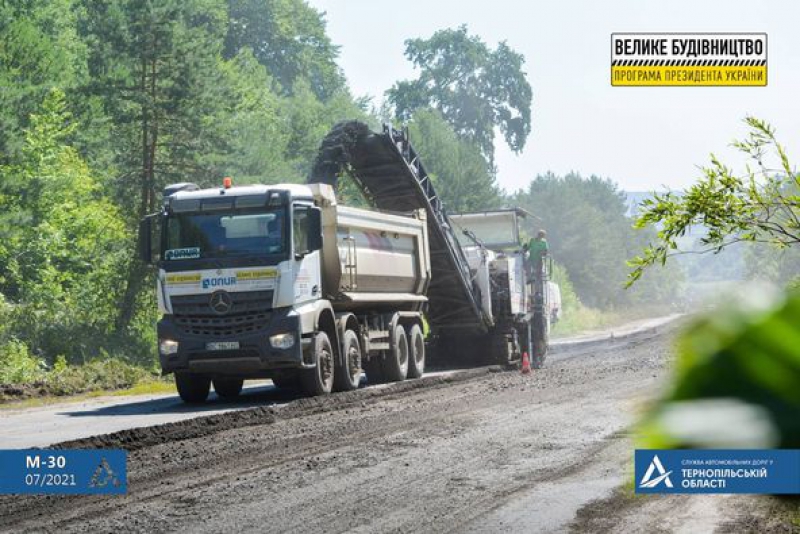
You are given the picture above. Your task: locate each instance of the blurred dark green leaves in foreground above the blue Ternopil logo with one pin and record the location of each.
(737, 382)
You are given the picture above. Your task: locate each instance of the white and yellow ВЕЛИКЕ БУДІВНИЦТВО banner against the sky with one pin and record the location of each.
(689, 59)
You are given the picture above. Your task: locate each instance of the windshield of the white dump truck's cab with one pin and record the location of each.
(225, 234)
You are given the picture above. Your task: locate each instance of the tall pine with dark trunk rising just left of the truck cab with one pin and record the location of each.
(156, 68)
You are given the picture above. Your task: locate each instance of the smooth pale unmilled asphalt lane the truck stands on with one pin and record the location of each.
(45, 425)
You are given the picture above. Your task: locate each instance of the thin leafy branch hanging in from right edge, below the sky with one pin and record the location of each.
(761, 205)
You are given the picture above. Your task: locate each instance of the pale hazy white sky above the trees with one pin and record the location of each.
(641, 137)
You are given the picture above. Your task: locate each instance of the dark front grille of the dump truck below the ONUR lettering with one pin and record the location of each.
(249, 313)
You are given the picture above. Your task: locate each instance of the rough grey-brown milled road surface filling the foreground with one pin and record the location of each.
(483, 451)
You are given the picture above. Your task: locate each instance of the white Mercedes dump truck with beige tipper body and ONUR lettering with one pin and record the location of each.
(281, 282)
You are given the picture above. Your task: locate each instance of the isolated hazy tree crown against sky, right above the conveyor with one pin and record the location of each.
(476, 89)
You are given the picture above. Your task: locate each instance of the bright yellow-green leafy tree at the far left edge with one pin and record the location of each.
(64, 266)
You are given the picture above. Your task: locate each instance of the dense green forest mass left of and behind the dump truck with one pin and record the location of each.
(106, 101)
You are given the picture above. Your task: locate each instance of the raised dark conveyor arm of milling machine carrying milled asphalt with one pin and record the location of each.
(390, 174)
